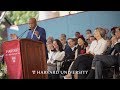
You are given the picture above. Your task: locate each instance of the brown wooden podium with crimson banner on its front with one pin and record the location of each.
(25, 59)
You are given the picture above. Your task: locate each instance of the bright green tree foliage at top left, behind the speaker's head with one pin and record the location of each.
(21, 17)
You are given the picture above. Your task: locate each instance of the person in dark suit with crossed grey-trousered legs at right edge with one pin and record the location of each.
(109, 58)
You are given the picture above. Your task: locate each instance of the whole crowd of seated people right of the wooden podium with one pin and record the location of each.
(91, 53)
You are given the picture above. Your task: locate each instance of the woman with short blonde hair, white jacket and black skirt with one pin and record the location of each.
(97, 47)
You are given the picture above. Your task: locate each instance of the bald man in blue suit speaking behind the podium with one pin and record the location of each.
(35, 32)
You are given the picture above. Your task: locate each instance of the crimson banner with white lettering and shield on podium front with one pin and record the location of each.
(12, 57)
